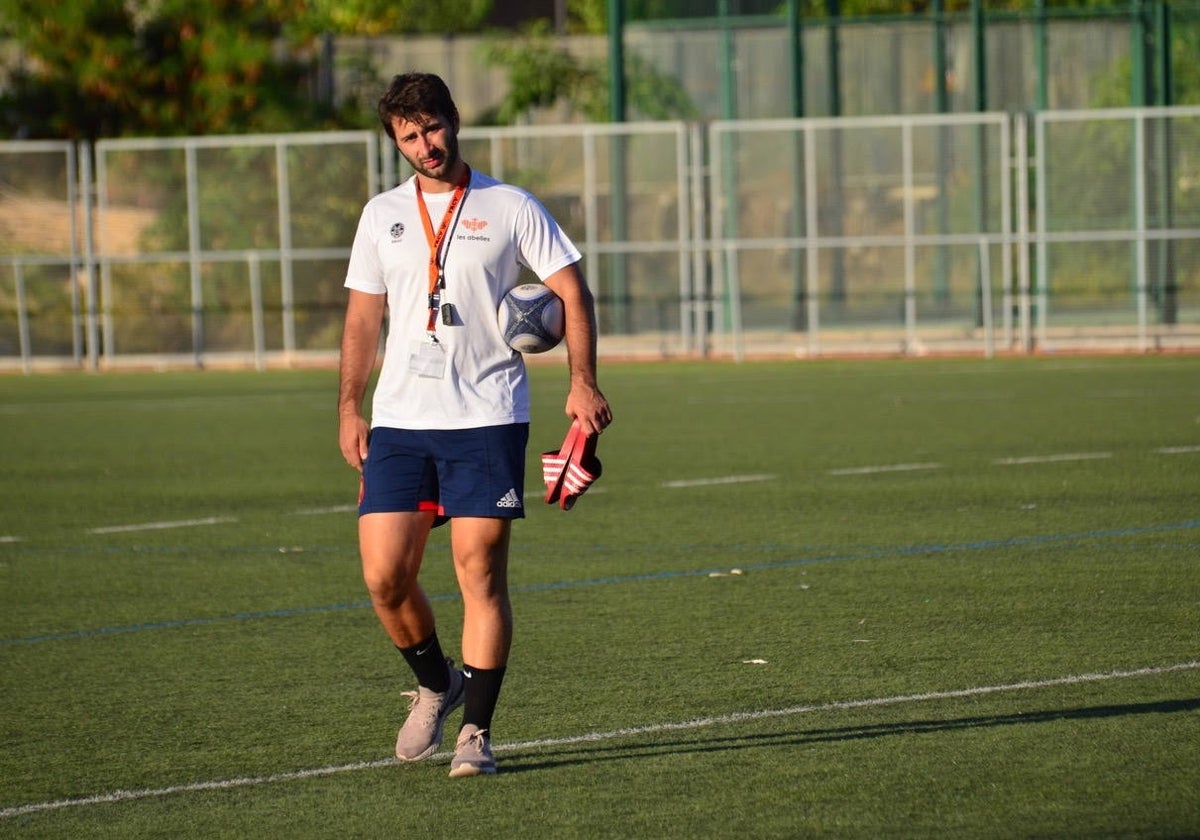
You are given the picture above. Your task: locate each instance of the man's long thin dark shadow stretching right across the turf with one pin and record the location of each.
(517, 763)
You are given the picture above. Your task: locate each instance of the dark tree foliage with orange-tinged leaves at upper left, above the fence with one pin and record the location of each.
(95, 69)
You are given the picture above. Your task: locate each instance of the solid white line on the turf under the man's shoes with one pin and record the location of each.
(593, 737)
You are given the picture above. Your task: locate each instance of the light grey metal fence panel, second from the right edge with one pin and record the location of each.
(843, 235)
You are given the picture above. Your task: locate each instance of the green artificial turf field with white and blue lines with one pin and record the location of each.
(969, 605)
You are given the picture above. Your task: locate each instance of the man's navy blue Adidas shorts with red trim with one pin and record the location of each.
(470, 472)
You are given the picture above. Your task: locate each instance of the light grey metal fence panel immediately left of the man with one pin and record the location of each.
(218, 245)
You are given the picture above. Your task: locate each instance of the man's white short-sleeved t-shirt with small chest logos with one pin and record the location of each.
(499, 229)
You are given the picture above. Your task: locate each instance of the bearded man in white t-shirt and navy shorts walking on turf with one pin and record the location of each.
(451, 413)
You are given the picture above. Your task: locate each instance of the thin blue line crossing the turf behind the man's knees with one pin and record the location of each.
(875, 554)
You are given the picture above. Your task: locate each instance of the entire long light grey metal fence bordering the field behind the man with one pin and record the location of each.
(979, 233)
